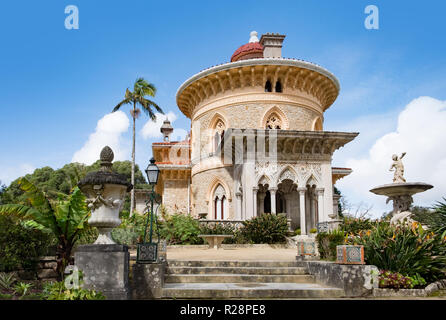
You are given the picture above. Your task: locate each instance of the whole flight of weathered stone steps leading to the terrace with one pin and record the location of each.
(242, 279)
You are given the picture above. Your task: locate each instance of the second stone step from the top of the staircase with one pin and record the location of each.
(237, 270)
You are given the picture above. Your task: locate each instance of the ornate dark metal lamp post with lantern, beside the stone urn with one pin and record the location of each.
(147, 252)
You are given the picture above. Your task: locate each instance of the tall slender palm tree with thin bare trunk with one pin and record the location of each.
(141, 89)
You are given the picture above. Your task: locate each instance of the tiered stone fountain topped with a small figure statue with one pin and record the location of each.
(400, 191)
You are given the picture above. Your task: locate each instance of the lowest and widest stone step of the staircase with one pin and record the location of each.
(248, 290)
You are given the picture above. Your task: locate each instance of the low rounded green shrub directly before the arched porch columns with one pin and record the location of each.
(266, 228)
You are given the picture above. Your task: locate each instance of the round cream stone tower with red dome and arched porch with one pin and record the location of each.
(257, 141)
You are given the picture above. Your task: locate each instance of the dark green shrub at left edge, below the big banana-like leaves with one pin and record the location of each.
(21, 246)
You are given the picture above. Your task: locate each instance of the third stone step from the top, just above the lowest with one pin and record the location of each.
(237, 278)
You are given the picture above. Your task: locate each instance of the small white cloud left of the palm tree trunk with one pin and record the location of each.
(109, 130)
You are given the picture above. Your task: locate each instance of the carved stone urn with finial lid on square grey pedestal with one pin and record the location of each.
(105, 264)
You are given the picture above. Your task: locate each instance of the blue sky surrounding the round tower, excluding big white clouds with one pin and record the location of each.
(56, 84)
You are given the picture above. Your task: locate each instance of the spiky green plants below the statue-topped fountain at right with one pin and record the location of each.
(407, 250)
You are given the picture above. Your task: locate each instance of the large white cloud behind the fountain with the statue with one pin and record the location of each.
(421, 132)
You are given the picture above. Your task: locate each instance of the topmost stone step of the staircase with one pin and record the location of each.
(228, 263)
